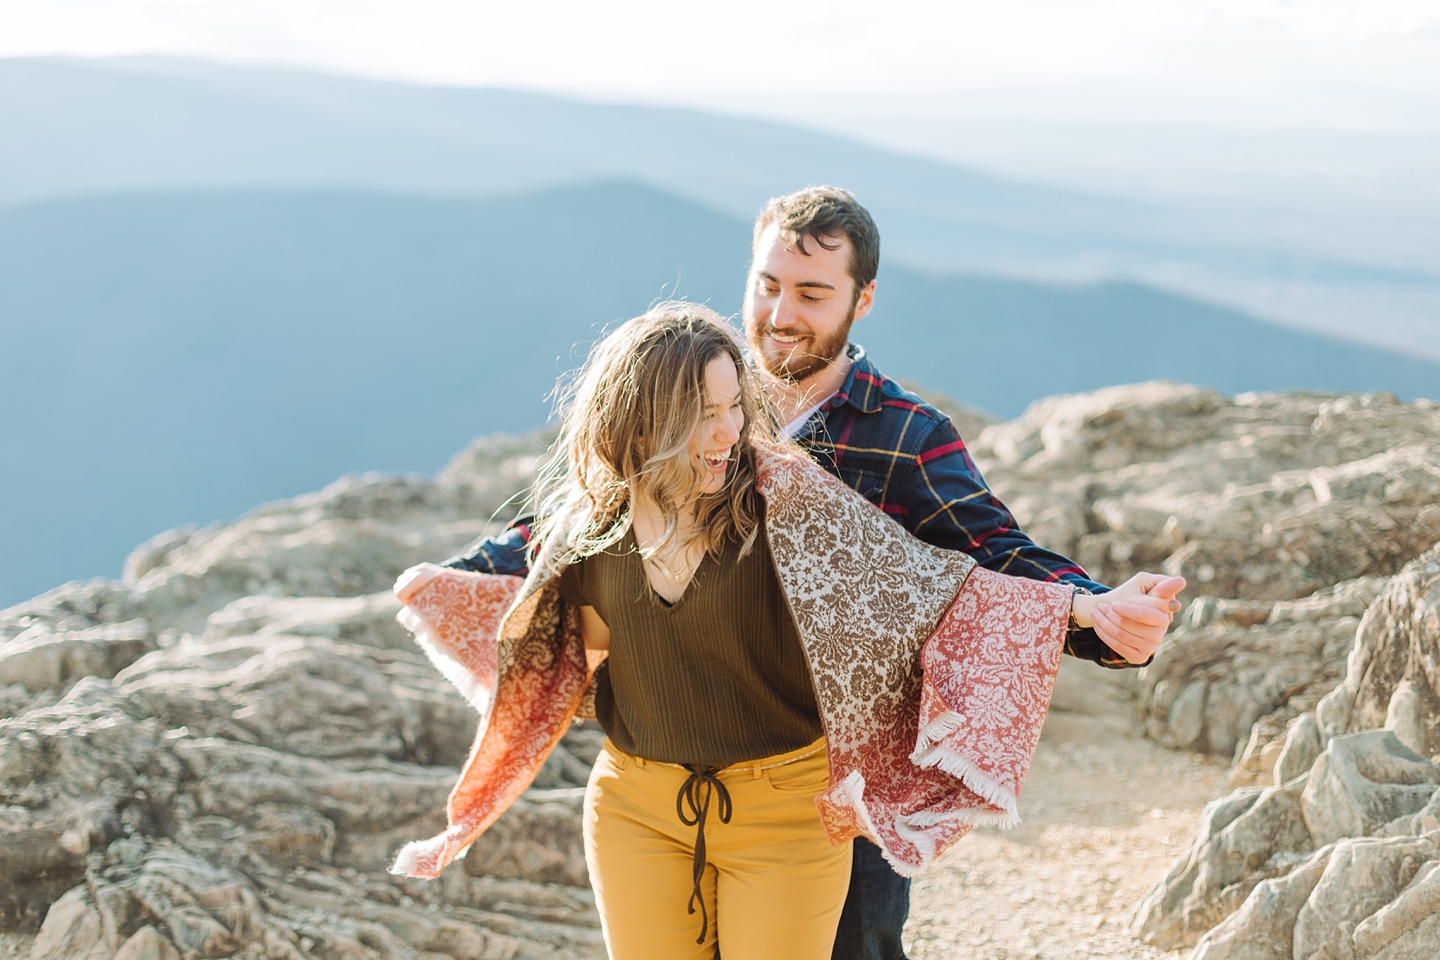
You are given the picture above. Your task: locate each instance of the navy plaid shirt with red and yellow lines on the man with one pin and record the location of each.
(906, 458)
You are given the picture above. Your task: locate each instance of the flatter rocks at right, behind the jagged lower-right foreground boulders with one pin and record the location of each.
(1285, 513)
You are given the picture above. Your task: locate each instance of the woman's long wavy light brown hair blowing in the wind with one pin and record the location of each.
(626, 424)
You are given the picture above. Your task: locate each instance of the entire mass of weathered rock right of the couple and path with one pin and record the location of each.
(1307, 654)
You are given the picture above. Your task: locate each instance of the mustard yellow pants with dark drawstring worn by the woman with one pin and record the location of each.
(773, 884)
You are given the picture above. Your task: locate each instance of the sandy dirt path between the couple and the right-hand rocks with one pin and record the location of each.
(1105, 812)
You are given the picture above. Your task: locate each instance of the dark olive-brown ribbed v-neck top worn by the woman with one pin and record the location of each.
(716, 679)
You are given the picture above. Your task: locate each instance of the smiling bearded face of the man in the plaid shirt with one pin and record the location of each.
(798, 307)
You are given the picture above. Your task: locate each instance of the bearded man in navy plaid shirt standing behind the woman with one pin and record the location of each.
(813, 276)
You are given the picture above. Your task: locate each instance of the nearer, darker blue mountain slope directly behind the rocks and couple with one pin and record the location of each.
(179, 358)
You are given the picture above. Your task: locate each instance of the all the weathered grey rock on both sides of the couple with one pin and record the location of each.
(220, 753)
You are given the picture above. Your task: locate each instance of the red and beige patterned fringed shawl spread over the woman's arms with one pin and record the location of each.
(932, 674)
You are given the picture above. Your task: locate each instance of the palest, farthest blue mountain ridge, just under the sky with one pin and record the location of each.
(78, 127)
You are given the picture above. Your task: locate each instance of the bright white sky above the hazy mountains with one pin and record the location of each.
(660, 50)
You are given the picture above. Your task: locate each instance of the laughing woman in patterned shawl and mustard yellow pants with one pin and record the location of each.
(762, 630)
